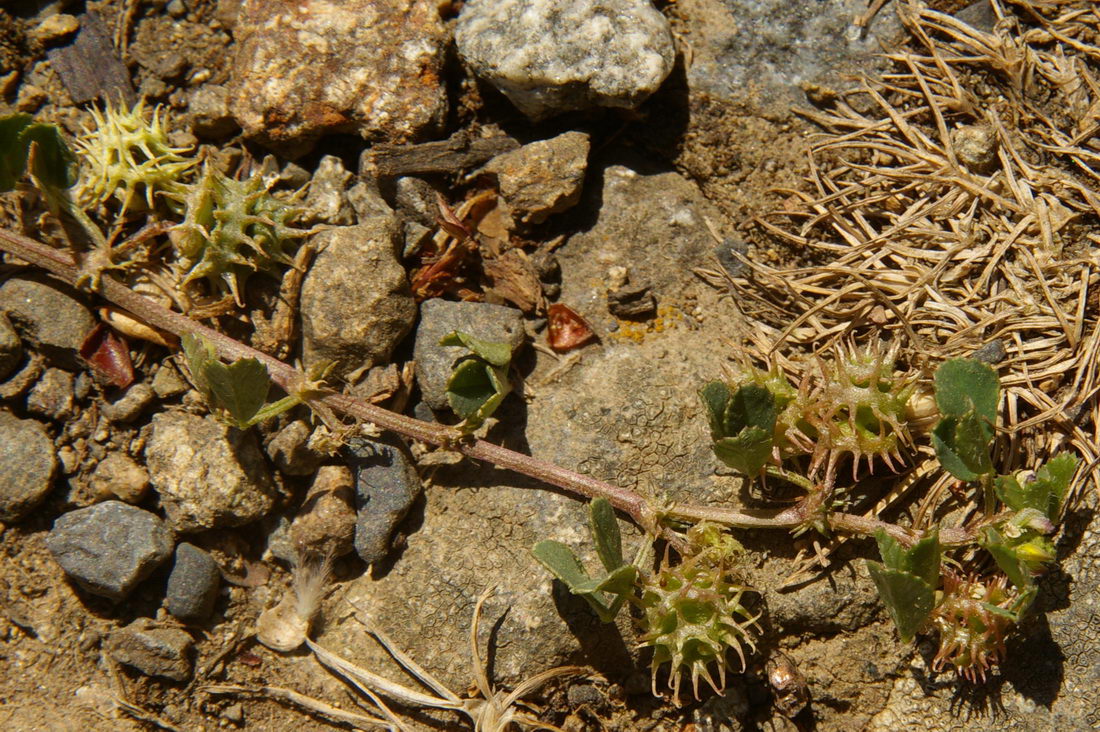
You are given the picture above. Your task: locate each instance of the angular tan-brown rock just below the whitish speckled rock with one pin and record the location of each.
(543, 178)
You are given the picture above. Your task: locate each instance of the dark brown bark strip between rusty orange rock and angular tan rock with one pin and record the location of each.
(456, 155)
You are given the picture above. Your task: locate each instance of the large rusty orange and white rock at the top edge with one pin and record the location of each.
(306, 69)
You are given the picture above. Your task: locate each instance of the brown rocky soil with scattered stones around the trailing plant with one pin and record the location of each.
(624, 146)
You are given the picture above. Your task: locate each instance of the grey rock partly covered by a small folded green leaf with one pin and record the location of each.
(438, 318)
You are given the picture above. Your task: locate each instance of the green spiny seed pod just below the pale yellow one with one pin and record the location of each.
(230, 230)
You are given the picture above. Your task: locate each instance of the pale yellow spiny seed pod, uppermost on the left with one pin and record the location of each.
(128, 158)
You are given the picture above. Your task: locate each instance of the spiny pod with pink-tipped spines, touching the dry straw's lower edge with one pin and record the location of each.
(859, 407)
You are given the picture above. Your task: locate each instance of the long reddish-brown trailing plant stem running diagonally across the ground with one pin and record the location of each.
(292, 380)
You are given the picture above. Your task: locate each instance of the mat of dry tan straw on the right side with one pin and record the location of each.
(907, 235)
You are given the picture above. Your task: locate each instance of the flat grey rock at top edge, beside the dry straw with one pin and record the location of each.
(760, 53)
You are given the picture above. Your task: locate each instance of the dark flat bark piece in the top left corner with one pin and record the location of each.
(90, 67)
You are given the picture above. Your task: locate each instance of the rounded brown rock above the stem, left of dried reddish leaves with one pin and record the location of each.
(356, 301)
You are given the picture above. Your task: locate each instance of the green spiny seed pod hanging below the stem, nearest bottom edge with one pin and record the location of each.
(692, 617)
